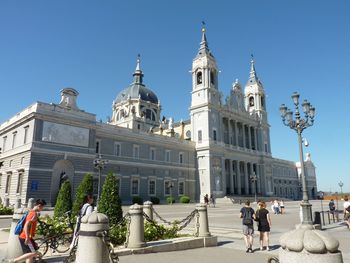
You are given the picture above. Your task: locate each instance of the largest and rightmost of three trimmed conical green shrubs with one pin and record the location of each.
(110, 203)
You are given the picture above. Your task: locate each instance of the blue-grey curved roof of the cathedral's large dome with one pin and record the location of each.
(135, 91)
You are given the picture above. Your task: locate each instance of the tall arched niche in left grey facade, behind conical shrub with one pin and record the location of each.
(61, 169)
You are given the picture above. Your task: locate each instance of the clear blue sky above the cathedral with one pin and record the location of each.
(92, 46)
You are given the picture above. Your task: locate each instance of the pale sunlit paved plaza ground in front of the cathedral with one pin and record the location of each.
(225, 223)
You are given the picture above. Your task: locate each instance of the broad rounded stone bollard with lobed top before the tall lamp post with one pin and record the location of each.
(306, 244)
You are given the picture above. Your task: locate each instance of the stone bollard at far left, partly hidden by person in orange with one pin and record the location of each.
(14, 248)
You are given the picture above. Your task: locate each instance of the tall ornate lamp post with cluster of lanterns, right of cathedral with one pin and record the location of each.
(299, 124)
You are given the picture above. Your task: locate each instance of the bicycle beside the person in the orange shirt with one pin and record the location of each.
(58, 243)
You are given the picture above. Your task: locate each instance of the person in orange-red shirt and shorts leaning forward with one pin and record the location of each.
(26, 238)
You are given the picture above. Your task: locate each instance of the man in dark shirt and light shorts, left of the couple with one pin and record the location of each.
(247, 214)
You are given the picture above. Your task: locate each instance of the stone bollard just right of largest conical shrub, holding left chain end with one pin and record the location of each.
(136, 228)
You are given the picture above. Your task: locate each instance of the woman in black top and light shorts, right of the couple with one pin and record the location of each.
(262, 216)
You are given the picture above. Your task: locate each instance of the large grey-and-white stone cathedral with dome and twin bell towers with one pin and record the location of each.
(224, 148)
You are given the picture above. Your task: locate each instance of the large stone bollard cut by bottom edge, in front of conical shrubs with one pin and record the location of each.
(91, 248)
